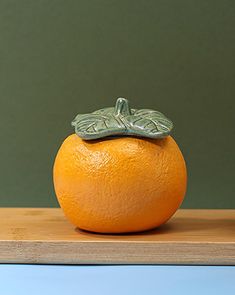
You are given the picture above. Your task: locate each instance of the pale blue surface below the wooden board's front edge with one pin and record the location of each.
(121, 280)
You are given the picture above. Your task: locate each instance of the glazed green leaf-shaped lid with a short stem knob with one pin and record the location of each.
(121, 120)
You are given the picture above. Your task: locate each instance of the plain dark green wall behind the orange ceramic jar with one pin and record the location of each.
(59, 58)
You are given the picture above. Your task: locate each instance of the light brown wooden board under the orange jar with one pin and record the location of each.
(39, 235)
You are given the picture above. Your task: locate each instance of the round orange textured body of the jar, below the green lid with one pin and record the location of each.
(119, 184)
